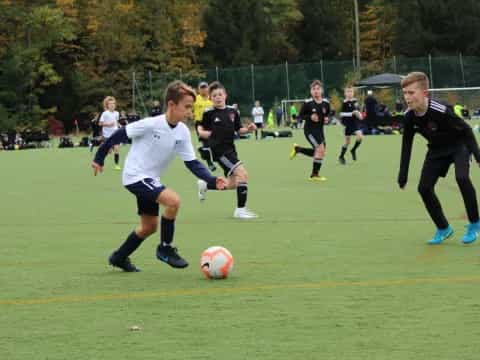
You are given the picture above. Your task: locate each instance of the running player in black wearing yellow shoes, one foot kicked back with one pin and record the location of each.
(315, 113)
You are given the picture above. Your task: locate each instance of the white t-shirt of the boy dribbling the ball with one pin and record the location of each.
(154, 146)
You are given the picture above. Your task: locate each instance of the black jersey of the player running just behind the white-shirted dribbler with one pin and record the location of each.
(223, 123)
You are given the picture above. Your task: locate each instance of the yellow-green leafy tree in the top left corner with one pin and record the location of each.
(34, 30)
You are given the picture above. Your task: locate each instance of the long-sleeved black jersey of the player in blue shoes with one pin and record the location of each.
(443, 129)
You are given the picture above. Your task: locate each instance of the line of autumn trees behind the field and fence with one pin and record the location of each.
(60, 57)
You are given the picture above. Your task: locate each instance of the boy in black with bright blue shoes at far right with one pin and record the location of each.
(450, 141)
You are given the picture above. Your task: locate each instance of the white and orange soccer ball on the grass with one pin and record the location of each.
(216, 262)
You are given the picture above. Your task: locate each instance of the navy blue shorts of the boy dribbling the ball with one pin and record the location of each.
(146, 192)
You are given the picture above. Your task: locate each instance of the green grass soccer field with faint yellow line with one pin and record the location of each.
(334, 270)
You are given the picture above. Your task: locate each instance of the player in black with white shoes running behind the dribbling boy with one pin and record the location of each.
(219, 125)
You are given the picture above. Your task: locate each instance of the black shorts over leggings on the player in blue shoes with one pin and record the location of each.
(437, 163)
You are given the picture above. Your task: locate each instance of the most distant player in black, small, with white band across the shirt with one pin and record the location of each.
(350, 116)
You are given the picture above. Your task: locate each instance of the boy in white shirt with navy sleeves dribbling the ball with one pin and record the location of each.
(155, 142)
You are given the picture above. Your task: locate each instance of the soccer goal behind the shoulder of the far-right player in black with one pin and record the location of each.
(468, 97)
